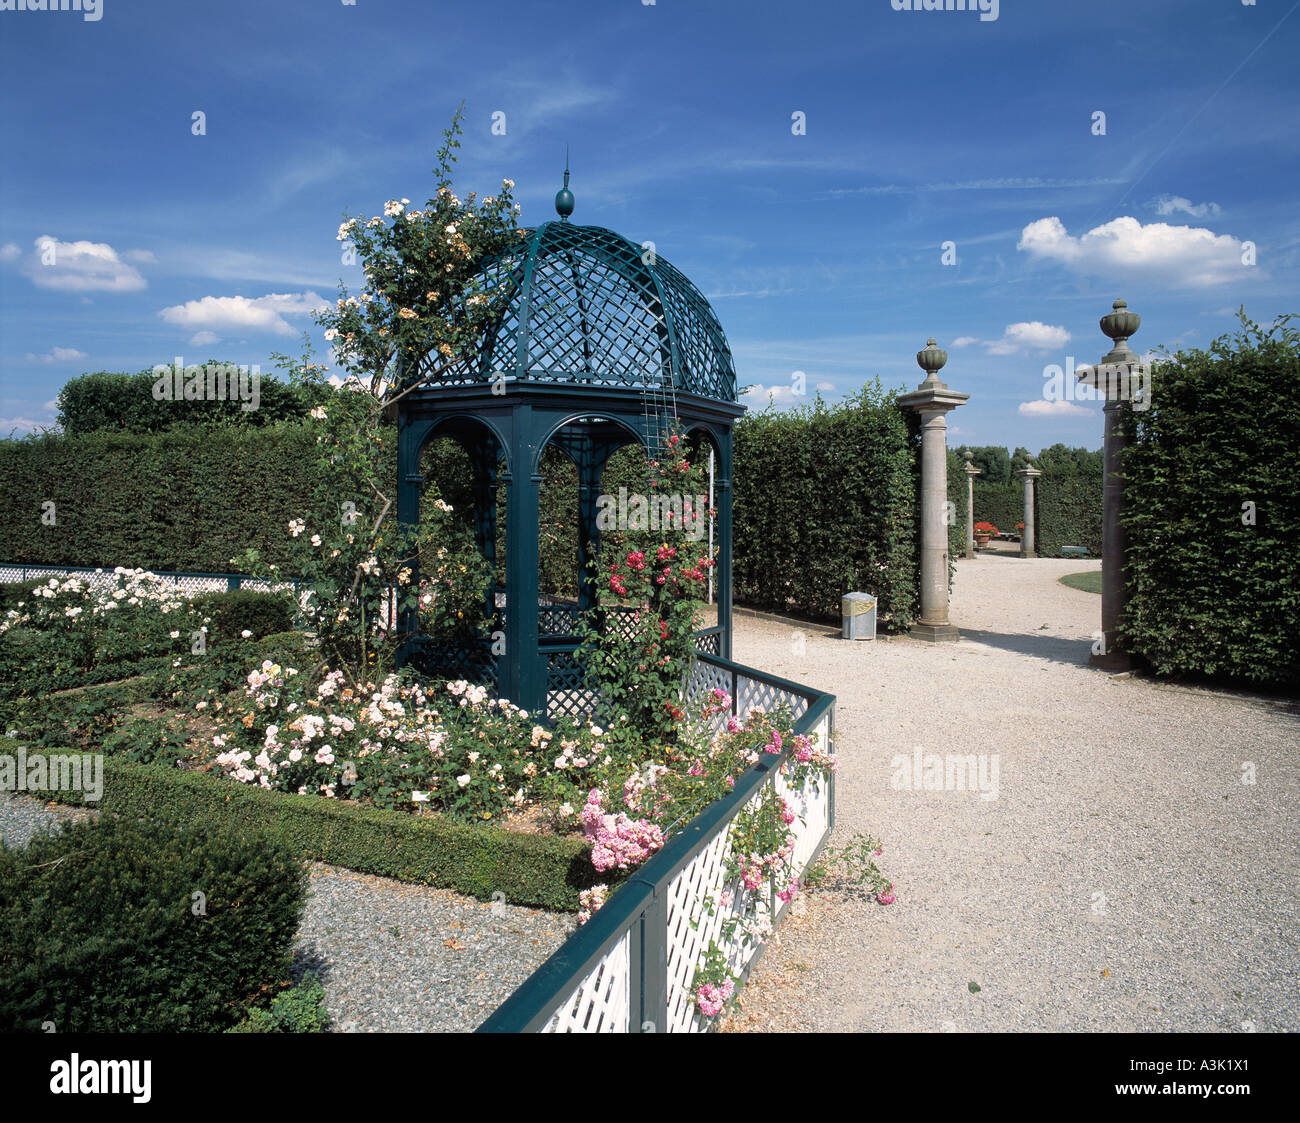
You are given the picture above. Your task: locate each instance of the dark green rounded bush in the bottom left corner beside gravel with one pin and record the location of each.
(101, 930)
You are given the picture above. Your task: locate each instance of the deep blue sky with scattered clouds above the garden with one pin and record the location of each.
(821, 252)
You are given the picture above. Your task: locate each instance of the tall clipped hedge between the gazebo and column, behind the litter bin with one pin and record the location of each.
(826, 505)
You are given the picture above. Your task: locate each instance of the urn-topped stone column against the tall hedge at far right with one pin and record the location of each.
(1112, 378)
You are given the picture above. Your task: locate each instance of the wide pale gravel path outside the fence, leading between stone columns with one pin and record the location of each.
(1124, 879)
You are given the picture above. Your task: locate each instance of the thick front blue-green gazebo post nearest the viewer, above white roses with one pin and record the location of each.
(525, 674)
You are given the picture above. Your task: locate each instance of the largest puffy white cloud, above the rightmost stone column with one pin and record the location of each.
(1176, 255)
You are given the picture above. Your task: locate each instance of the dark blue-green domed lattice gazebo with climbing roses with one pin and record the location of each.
(601, 344)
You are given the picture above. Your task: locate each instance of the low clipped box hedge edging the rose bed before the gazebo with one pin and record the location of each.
(540, 871)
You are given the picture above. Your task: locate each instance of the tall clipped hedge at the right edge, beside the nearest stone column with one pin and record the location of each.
(1208, 593)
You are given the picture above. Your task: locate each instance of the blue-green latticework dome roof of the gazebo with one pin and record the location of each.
(590, 307)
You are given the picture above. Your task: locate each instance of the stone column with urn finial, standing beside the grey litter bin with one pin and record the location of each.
(933, 401)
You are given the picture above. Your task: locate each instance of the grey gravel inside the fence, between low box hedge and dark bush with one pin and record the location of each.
(392, 957)
